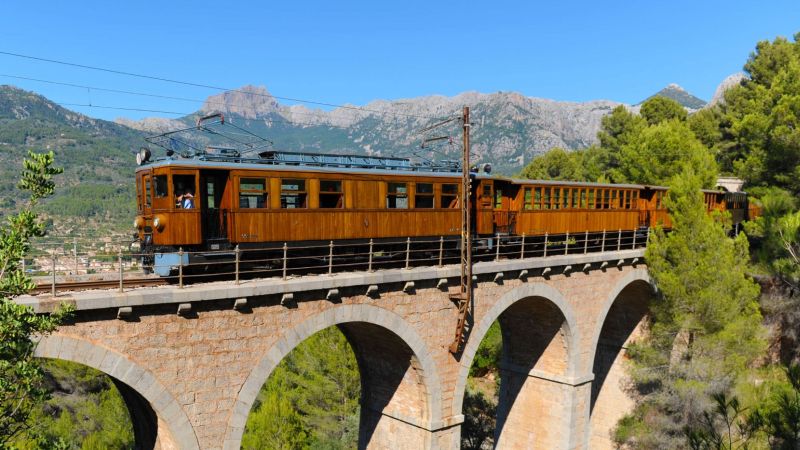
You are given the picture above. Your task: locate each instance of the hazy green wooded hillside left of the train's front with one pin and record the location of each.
(96, 190)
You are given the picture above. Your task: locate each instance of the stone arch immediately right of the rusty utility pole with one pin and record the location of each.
(540, 357)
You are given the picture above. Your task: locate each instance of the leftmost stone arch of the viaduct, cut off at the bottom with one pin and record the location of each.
(158, 418)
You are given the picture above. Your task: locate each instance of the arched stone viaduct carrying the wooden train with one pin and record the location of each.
(190, 361)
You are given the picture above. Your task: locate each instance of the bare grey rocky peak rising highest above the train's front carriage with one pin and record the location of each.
(249, 102)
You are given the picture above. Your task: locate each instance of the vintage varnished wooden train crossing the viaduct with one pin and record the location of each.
(208, 203)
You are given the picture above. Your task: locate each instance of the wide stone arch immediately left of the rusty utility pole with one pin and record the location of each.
(357, 322)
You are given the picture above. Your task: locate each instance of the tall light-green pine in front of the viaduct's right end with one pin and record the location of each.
(705, 328)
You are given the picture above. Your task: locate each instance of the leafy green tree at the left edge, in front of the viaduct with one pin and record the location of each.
(20, 373)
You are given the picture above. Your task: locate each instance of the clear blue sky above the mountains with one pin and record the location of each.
(354, 52)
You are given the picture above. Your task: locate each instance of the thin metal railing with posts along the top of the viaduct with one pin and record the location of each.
(61, 264)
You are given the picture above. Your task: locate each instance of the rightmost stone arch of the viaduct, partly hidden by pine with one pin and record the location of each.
(622, 320)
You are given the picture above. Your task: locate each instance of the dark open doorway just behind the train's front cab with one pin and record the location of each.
(213, 204)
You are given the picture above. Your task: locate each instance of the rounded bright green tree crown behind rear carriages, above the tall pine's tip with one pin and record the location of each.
(661, 151)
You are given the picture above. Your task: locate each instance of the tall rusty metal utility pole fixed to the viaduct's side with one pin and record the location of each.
(464, 296)
